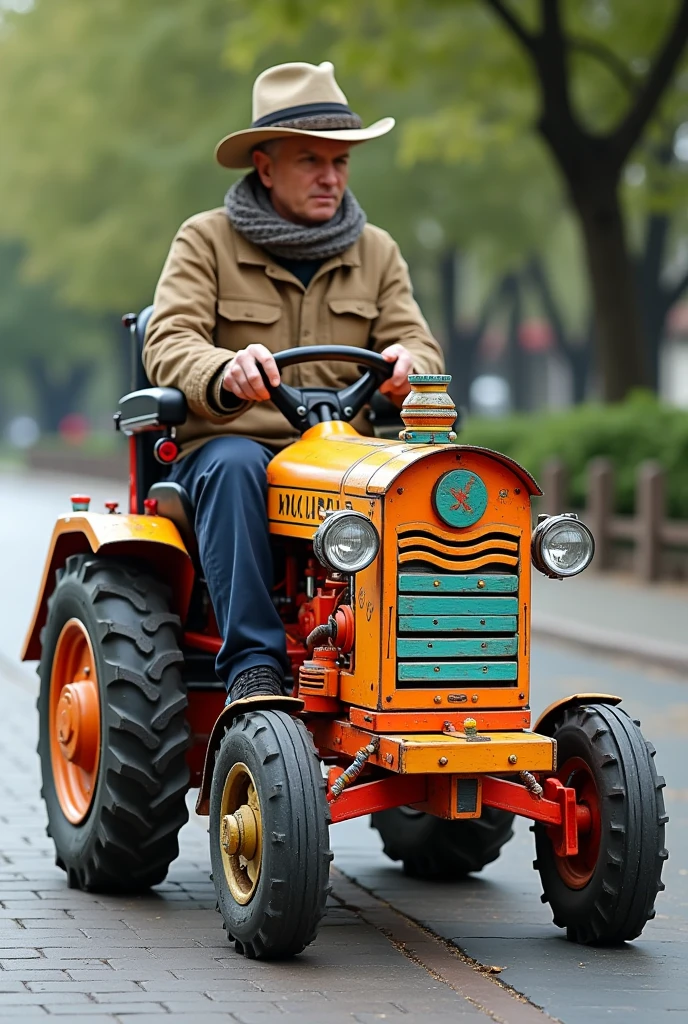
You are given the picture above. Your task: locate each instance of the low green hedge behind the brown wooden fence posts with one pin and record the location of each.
(627, 434)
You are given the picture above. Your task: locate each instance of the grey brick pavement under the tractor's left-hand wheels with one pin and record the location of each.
(99, 960)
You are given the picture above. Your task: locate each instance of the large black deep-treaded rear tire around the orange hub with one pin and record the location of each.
(130, 836)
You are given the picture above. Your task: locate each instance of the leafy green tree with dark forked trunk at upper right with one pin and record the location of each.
(590, 77)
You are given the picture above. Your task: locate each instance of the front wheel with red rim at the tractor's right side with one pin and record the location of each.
(607, 894)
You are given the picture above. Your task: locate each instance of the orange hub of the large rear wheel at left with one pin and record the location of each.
(75, 721)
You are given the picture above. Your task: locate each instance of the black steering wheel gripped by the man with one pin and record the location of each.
(308, 406)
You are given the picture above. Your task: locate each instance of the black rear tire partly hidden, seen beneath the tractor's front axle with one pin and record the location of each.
(435, 849)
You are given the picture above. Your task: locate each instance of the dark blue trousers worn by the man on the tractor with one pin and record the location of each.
(227, 482)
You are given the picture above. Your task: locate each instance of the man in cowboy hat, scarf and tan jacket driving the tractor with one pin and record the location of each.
(289, 261)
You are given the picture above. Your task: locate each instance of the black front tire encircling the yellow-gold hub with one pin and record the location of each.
(284, 912)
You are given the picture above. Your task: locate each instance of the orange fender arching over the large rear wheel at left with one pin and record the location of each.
(151, 539)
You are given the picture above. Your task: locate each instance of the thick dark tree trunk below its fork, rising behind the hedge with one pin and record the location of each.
(618, 320)
